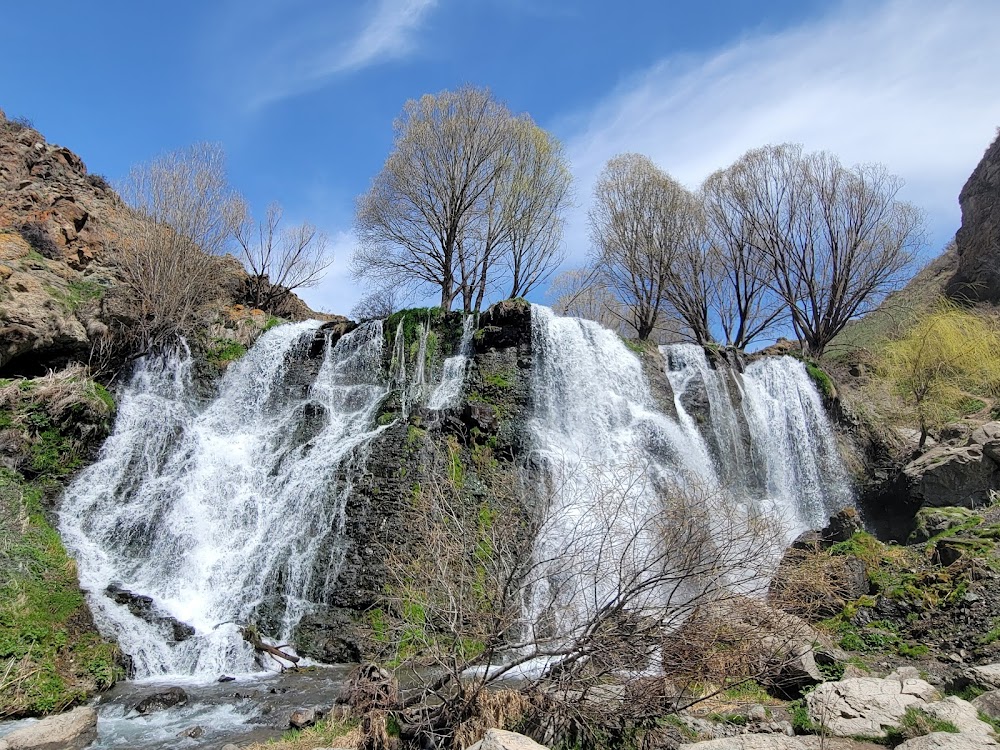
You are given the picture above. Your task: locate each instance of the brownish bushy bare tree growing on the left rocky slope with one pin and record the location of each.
(166, 260)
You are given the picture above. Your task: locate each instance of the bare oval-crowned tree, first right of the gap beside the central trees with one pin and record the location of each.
(637, 223)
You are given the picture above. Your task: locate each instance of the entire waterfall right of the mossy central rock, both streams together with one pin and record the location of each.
(631, 497)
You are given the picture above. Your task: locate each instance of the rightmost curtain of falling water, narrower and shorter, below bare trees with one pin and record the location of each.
(775, 446)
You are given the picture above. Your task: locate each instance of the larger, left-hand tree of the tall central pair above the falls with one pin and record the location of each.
(419, 209)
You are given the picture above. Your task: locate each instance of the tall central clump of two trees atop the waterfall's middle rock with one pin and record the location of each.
(466, 186)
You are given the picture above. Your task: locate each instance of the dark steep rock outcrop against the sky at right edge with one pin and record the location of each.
(978, 239)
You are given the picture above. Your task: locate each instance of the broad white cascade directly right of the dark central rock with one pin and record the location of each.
(607, 454)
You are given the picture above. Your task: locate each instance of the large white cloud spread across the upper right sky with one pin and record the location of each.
(909, 83)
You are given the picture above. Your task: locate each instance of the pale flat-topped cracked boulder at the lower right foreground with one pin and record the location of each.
(865, 705)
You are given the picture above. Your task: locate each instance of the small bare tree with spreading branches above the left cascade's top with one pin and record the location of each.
(279, 259)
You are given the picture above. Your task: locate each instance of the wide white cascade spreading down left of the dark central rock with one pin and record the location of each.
(228, 511)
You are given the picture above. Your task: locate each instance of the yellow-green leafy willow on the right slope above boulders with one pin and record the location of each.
(948, 354)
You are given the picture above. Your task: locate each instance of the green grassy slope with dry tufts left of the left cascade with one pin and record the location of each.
(50, 653)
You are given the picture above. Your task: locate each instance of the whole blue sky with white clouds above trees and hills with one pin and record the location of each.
(302, 93)
